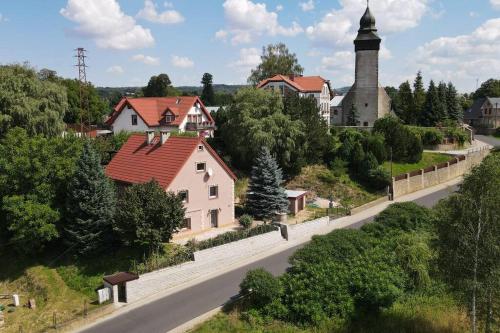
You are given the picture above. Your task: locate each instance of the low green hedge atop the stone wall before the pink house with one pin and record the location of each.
(229, 237)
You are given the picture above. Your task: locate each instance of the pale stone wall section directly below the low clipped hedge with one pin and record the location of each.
(245, 247)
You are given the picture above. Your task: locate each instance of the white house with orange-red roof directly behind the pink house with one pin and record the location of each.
(183, 113)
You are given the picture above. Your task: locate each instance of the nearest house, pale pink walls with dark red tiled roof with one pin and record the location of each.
(183, 165)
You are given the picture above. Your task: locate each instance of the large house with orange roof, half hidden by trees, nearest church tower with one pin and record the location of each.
(313, 86)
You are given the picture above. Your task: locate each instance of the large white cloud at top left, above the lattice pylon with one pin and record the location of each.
(105, 23)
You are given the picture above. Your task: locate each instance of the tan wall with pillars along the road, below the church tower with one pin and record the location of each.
(456, 167)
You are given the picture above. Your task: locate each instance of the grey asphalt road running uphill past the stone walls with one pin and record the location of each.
(174, 310)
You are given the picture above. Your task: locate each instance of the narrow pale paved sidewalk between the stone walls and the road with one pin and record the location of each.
(187, 281)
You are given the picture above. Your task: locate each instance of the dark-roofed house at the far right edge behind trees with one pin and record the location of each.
(484, 113)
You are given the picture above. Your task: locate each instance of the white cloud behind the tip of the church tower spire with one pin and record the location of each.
(339, 26)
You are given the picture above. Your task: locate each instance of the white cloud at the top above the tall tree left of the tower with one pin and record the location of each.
(246, 20)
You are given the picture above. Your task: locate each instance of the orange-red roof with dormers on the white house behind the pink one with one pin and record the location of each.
(153, 109)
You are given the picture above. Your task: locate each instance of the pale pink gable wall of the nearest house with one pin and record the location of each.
(199, 203)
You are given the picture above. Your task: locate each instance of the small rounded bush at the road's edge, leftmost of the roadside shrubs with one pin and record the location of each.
(260, 287)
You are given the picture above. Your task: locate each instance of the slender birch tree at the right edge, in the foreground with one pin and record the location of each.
(469, 241)
